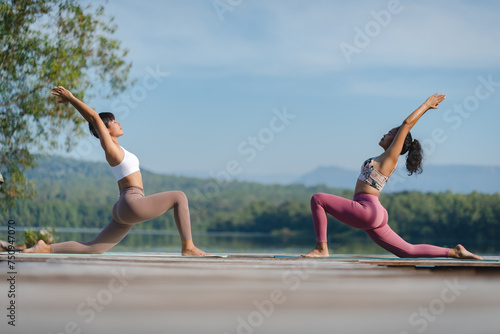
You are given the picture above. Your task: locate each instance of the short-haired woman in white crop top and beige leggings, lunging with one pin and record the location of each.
(132, 207)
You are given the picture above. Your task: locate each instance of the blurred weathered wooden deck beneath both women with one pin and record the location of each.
(250, 293)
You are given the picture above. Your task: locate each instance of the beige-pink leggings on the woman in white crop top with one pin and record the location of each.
(132, 208)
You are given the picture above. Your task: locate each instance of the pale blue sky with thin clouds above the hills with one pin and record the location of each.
(281, 87)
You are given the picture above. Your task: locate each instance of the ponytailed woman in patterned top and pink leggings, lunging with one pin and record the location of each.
(365, 211)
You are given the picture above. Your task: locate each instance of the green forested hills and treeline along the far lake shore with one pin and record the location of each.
(80, 194)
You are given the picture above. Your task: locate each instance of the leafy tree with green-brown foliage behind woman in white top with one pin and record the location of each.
(46, 43)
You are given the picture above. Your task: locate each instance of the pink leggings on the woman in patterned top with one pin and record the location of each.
(366, 213)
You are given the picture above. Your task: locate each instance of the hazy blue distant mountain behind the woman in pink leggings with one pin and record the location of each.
(456, 178)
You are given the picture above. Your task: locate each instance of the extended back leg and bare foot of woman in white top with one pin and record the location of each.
(110, 236)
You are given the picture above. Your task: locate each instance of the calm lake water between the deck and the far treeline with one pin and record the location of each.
(227, 242)
